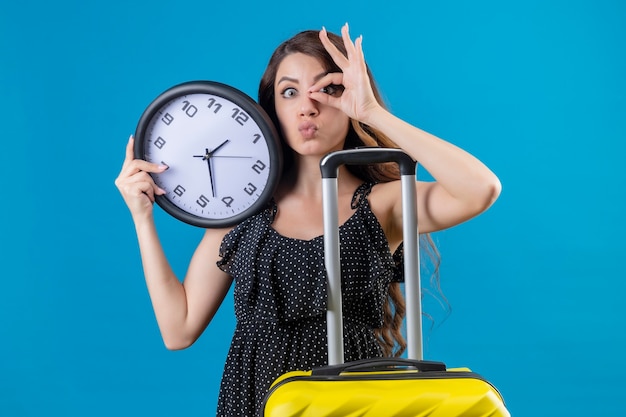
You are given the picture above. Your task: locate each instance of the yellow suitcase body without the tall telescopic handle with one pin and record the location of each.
(364, 389)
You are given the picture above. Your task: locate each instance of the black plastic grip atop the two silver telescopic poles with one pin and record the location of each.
(364, 156)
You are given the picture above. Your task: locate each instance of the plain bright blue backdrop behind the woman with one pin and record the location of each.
(535, 88)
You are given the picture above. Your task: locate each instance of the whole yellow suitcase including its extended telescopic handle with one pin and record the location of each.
(382, 386)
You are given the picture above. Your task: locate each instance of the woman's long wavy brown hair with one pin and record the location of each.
(389, 336)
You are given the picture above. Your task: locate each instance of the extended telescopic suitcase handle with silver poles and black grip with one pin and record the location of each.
(329, 167)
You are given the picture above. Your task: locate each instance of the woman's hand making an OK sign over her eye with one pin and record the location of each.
(357, 99)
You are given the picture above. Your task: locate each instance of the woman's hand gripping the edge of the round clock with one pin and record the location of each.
(136, 185)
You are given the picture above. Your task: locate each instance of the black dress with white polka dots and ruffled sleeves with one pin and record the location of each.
(280, 301)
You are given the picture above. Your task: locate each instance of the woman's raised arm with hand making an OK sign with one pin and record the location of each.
(463, 186)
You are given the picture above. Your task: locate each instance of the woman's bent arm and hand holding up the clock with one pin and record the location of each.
(183, 310)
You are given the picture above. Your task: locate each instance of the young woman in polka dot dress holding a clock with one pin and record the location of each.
(320, 94)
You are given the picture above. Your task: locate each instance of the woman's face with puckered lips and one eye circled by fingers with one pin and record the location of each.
(309, 127)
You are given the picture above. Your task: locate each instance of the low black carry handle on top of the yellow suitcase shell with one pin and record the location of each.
(369, 365)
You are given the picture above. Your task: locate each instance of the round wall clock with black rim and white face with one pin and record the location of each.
(222, 150)
